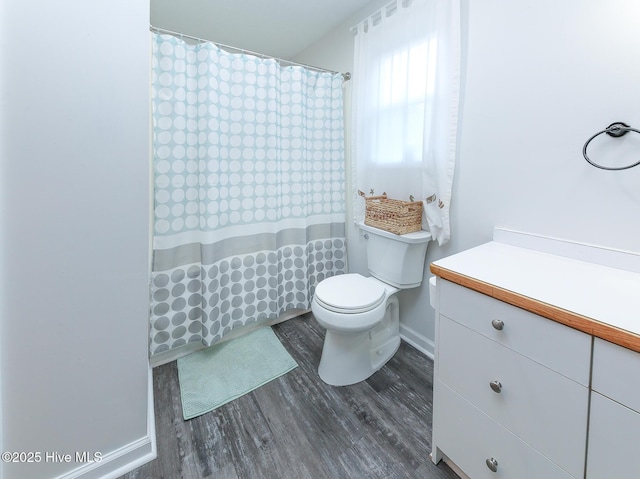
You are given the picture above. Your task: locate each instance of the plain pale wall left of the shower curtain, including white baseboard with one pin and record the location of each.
(74, 234)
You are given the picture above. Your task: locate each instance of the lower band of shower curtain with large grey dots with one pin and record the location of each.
(198, 302)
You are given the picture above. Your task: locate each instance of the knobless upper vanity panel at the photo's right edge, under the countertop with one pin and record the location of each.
(615, 373)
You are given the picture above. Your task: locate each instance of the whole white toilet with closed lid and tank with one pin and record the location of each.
(360, 313)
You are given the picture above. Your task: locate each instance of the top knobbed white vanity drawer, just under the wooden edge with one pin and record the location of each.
(543, 340)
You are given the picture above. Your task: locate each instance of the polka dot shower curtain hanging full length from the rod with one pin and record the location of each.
(249, 190)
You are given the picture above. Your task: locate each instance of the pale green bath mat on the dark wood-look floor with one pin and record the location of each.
(223, 372)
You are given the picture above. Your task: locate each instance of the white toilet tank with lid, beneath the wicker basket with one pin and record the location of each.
(397, 260)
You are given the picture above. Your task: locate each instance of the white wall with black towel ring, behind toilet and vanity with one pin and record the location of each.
(538, 80)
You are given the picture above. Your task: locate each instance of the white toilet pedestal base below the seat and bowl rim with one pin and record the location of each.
(348, 358)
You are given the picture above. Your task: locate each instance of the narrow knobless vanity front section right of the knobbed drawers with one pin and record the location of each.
(614, 426)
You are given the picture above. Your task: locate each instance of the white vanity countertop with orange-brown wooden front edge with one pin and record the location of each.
(598, 299)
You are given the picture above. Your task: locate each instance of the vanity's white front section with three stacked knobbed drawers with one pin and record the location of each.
(511, 393)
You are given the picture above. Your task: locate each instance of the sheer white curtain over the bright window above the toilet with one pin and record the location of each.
(405, 104)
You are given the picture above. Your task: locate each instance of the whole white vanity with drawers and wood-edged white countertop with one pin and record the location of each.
(537, 360)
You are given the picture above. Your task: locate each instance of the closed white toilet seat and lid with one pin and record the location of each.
(350, 294)
